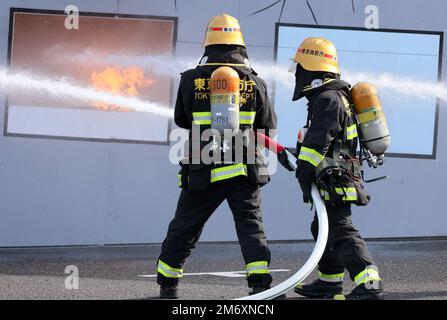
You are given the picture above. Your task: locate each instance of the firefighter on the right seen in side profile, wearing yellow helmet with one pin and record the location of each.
(327, 156)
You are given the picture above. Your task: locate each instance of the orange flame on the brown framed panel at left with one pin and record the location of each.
(119, 81)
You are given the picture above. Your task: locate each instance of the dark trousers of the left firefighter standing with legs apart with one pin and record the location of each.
(195, 207)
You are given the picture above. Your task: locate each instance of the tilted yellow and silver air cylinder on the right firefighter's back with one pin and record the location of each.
(372, 122)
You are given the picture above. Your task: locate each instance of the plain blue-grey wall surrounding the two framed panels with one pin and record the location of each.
(55, 192)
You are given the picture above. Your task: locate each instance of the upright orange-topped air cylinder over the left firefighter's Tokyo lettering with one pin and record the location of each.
(224, 98)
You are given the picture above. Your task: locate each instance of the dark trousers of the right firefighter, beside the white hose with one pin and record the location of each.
(345, 247)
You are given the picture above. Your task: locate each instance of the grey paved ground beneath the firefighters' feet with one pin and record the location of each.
(410, 270)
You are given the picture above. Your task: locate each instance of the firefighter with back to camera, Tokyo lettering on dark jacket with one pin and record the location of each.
(206, 186)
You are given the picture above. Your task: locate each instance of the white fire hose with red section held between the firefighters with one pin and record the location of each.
(320, 245)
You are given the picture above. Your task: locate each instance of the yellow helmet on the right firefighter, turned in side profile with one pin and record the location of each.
(316, 54)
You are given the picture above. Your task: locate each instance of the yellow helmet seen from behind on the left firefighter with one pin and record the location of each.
(223, 29)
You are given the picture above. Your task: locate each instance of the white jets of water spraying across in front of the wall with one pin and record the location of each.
(170, 66)
